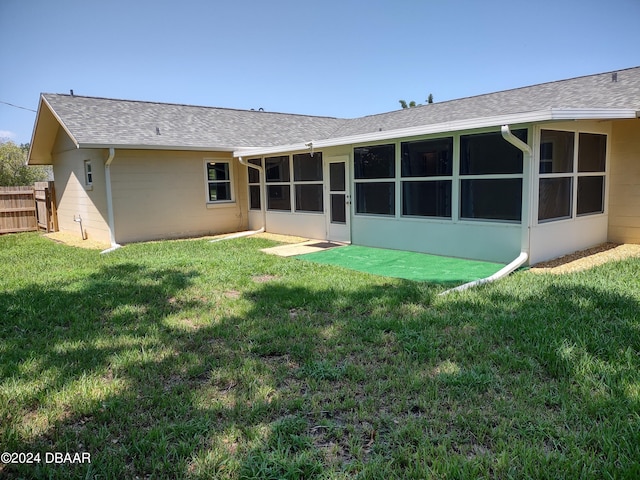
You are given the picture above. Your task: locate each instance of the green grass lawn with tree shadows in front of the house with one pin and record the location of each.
(214, 360)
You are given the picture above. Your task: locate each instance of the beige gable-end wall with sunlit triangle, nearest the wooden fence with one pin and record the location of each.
(73, 198)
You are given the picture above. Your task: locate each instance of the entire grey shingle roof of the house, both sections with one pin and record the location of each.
(100, 121)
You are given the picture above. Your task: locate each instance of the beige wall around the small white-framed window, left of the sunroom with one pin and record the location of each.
(162, 194)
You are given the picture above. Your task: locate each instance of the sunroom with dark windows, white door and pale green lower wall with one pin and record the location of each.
(470, 194)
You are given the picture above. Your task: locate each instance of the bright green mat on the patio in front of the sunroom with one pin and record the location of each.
(408, 265)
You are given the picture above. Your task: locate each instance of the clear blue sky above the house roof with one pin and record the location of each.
(343, 58)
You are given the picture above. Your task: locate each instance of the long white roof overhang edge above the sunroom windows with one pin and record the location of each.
(551, 114)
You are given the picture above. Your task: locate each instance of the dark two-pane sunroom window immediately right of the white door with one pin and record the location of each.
(374, 177)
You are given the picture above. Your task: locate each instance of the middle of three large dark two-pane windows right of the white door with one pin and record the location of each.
(424, 195)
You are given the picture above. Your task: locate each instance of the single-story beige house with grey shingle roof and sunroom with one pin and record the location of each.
(546, 169)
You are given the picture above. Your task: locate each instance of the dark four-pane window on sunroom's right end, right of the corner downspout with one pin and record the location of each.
(567, 180)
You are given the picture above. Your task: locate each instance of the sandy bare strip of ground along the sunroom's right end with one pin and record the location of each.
(589, 258)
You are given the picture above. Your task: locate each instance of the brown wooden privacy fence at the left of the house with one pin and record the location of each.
(25, 209)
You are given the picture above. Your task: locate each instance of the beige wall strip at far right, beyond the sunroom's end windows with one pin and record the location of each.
(624, 182)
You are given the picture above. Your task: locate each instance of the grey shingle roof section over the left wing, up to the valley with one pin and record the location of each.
(102, 121)
